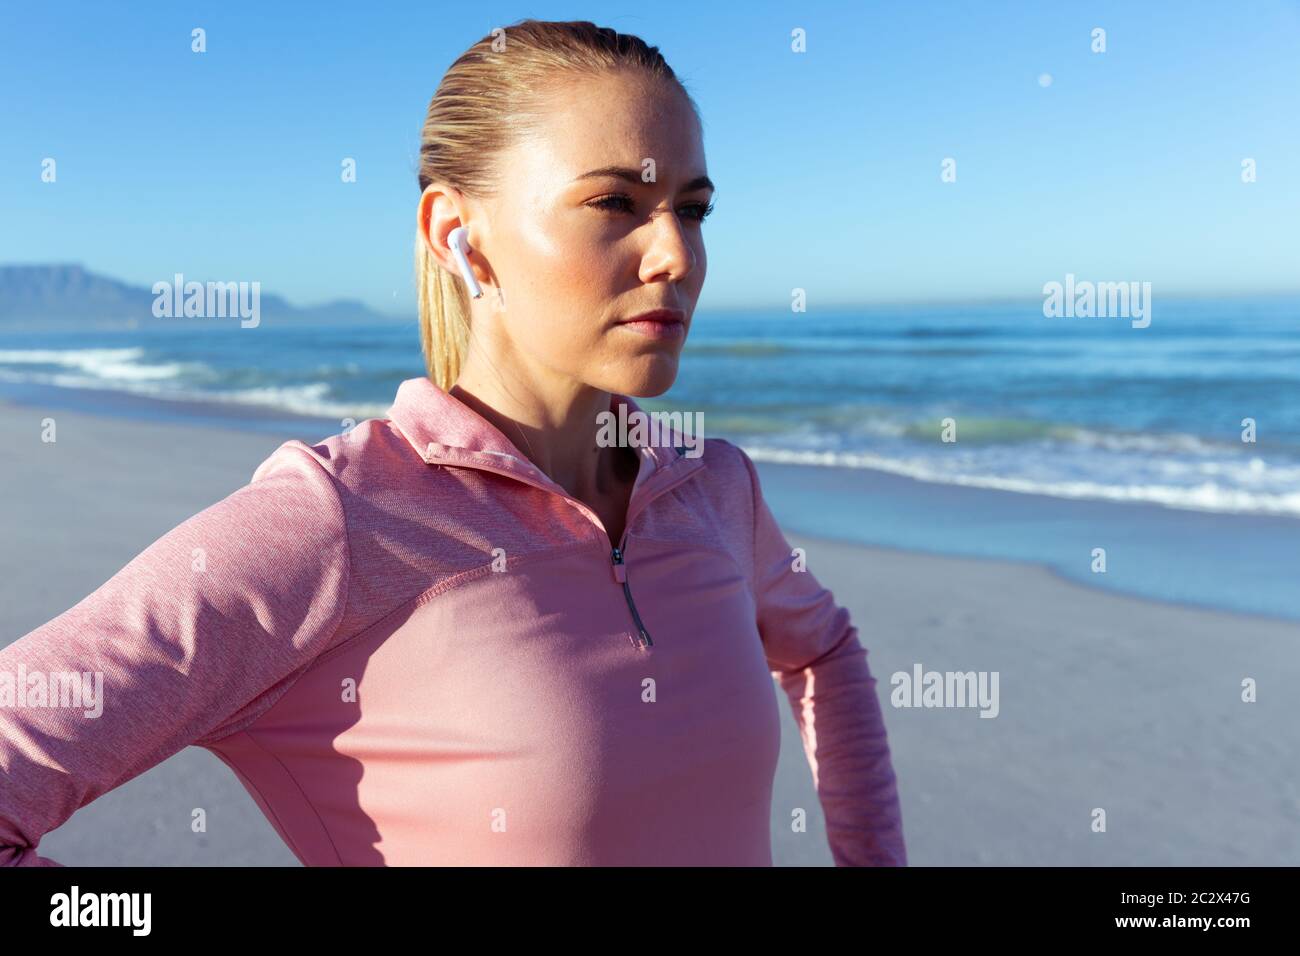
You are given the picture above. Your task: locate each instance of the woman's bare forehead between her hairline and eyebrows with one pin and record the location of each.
(610, 120)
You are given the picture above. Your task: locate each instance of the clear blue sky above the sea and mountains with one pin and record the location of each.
(1125, 167)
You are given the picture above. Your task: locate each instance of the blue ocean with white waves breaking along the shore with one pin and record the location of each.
(1074, 410)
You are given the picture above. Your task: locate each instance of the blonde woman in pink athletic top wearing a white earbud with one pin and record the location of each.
(473, 633)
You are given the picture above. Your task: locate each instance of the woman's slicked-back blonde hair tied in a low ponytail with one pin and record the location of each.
(488, 98)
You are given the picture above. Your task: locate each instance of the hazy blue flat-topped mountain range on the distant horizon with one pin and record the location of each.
(68, 297)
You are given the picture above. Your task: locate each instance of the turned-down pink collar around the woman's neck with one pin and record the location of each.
(445, 431)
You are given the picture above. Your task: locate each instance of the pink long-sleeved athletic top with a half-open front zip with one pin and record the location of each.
(414, 648)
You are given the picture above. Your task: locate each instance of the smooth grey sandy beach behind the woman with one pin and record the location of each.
(1106, 700)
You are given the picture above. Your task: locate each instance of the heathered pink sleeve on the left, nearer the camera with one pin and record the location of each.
(196, 638)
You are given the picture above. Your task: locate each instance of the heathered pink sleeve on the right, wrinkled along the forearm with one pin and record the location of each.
(816, 656)
